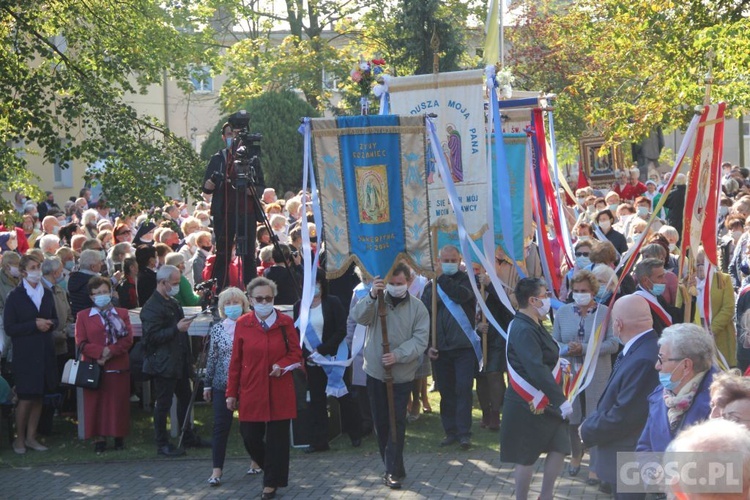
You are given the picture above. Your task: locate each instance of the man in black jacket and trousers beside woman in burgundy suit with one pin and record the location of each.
(167, 358)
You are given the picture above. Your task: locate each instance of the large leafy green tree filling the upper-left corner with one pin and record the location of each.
(66, 70)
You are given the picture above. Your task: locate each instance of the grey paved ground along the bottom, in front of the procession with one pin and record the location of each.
(473, 474)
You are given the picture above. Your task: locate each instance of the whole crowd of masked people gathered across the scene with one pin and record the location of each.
(69, 276)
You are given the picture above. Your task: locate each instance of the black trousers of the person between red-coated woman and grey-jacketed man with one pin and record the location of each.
(351, 421)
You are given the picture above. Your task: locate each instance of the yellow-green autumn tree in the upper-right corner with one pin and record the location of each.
(622, 68)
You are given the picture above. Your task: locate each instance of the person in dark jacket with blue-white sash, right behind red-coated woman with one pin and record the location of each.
(325, 335)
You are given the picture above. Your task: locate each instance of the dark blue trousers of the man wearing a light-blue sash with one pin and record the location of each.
(454, 371)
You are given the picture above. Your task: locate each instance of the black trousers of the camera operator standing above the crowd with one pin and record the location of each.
(225, 231)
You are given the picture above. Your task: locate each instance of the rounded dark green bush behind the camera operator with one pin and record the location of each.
(276, 116)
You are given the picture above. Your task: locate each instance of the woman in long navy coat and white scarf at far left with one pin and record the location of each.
(30, 319)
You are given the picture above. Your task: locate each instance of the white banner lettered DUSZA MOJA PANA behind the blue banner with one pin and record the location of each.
(457, 100)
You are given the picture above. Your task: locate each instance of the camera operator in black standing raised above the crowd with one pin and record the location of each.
(228, 207)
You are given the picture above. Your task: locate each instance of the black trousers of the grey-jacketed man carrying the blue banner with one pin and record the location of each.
(391, 453)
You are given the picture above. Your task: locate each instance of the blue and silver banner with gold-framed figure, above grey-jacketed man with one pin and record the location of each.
(371, 173)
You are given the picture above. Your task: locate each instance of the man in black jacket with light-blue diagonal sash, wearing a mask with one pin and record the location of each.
(454, 356)
